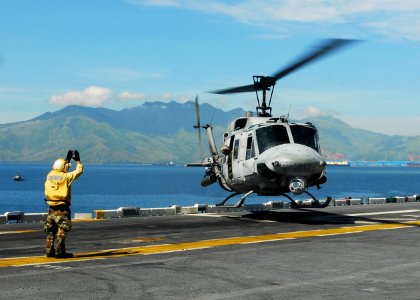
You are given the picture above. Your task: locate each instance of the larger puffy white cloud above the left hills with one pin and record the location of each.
(91, 96)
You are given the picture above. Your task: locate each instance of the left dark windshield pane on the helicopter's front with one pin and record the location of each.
(271, 136)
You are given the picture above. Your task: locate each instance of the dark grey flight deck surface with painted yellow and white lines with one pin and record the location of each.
(365, 251)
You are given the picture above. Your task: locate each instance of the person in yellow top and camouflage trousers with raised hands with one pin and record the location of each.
(58, 198)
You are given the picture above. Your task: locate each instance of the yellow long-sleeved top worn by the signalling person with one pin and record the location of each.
(58, 186)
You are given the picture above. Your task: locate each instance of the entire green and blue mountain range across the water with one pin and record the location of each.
(158, 132)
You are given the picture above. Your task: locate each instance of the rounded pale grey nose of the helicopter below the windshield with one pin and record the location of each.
(294, 159)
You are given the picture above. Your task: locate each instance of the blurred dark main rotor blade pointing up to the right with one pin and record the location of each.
(327, 47)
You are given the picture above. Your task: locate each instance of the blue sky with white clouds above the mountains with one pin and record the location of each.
(121, 53)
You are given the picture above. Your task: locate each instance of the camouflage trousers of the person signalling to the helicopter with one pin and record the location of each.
(56, 227)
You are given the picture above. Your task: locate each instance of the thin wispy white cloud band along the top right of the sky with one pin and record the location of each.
(390, 18)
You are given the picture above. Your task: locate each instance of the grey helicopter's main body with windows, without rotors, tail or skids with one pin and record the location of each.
(271, 156)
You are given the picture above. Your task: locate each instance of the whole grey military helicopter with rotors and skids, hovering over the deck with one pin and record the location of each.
(264, 154)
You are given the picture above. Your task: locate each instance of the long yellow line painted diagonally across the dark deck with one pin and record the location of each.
(167, 248)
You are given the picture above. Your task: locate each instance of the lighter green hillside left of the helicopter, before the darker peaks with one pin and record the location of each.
(43, 139)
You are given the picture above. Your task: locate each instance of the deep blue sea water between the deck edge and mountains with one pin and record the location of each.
(114, 186)
